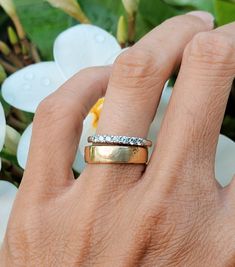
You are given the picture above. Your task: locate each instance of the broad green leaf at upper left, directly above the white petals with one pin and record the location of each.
(42, 23)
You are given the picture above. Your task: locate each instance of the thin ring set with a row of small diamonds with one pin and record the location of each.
(114, 139)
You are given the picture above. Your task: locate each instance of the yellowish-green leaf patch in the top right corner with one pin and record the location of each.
(224, 11)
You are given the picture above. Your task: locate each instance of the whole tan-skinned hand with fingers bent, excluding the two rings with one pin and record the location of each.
(171, 213)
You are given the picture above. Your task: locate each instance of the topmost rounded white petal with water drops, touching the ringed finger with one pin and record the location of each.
(83, 46)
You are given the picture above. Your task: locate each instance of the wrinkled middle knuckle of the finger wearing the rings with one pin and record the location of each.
(136, 68)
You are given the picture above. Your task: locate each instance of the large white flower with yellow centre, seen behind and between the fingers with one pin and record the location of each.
(74, 49)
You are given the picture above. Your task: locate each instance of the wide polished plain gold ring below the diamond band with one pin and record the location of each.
(116, 154)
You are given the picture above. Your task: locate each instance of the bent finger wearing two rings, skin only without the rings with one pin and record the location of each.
(136, 83)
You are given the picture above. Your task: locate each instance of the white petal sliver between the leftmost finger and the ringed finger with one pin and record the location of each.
(79, 163)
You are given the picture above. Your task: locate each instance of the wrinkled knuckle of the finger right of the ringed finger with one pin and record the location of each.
(211, 47)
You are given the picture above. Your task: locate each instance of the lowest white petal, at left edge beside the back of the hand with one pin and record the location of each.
(7, 195)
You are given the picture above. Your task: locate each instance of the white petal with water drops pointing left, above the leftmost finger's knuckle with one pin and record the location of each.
(26, 88)
